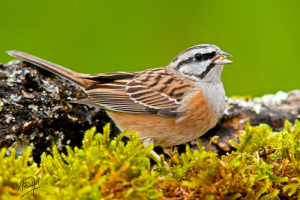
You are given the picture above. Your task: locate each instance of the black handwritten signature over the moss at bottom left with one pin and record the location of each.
(28, 185)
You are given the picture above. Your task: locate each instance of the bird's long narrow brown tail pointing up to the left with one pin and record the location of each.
(54, 68)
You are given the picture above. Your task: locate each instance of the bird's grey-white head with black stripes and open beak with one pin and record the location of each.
(202, 63)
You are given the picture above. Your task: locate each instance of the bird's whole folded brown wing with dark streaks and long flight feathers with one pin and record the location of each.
(152, 91)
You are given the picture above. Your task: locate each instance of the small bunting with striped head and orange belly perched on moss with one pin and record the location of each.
(166, 106)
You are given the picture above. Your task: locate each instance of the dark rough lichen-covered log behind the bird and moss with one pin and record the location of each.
(34, 112)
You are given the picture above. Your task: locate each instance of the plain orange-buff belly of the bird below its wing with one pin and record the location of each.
(197, 119)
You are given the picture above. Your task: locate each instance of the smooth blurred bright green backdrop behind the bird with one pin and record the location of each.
(106, 36)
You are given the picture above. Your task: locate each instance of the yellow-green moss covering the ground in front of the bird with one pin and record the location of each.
(266, 165)
